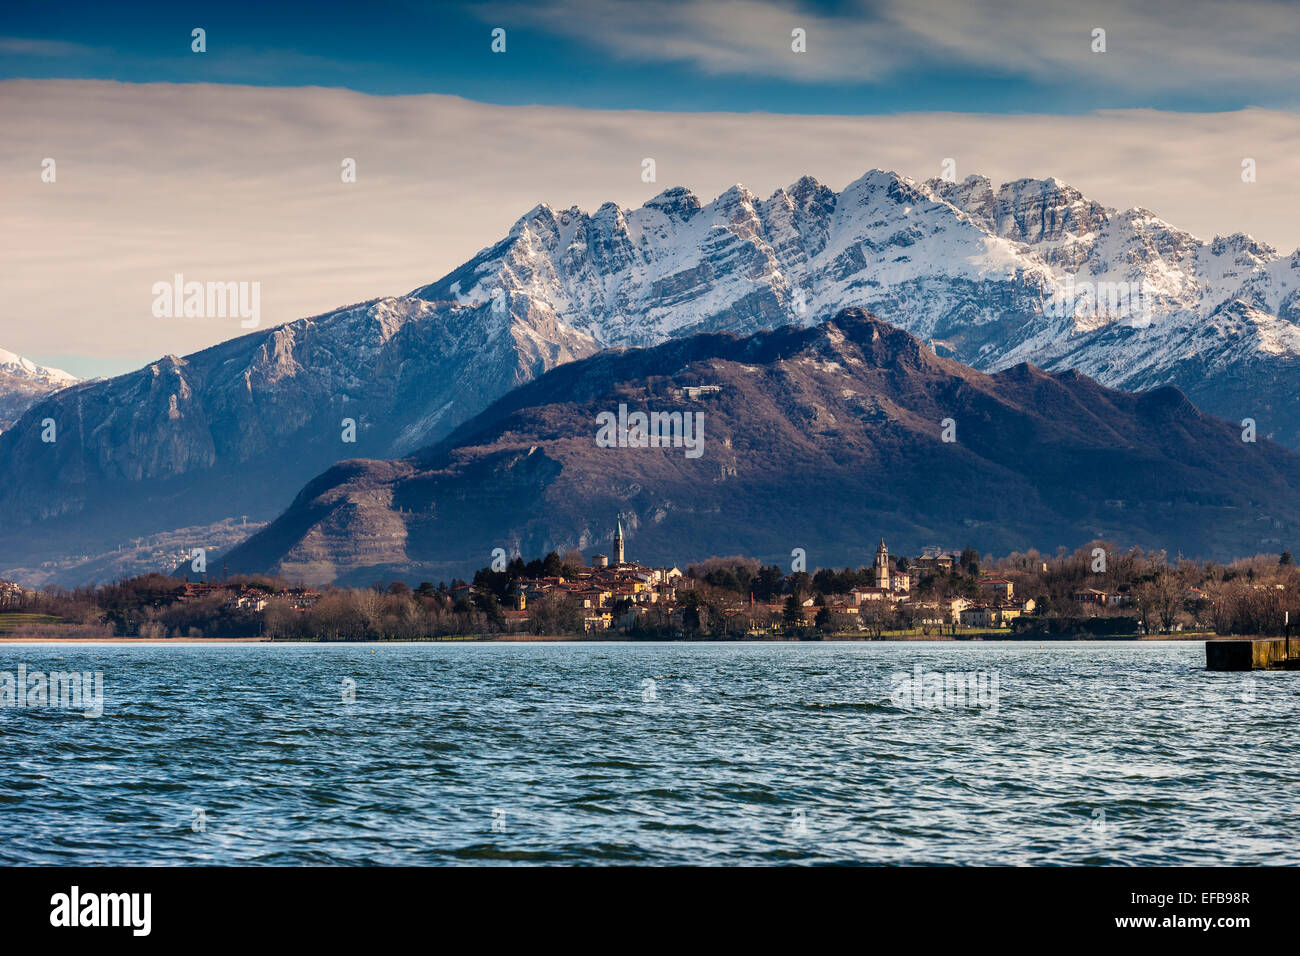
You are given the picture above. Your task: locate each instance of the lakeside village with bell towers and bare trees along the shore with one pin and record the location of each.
(1094, 592)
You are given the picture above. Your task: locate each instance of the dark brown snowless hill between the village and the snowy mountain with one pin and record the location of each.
(822, 439)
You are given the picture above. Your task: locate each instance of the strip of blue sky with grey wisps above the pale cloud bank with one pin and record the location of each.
(865, 57)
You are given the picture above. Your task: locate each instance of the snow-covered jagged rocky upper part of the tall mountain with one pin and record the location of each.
(1032, 271)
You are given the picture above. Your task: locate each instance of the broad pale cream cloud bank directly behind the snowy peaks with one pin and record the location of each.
(242, 184)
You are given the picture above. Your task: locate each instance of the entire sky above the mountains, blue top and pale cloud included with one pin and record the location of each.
(224, 165)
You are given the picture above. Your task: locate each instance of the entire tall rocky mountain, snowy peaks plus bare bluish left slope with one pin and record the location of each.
(1032, 271)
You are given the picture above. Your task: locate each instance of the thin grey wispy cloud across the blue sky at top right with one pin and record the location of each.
(1163, 45)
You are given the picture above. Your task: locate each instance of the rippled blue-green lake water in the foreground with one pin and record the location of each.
(653, 754)
